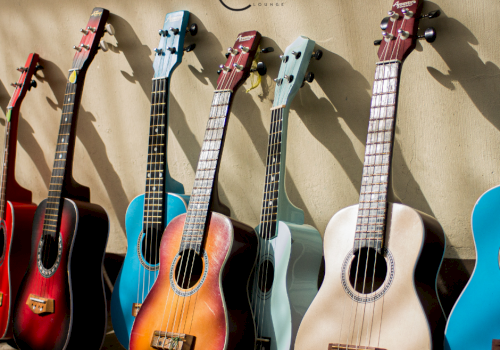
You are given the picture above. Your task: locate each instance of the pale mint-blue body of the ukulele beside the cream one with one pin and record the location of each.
(295, 254)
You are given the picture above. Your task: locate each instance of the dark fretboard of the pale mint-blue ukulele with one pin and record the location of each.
(271, 187)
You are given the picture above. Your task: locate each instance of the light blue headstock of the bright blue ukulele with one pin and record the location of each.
(171, 48)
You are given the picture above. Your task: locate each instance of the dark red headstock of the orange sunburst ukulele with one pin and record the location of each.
(240, 56)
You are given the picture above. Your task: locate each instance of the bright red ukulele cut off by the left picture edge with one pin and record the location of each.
(16, 208)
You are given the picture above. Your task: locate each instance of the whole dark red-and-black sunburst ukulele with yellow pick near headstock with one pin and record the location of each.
(61, 303)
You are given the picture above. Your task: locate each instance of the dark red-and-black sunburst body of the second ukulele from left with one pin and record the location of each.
(76, 286)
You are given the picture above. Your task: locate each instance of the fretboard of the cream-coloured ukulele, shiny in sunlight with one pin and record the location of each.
(372, 213)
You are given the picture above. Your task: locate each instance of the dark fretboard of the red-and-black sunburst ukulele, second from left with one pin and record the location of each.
(64, 152)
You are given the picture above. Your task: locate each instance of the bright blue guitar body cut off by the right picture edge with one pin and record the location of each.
(473, 322)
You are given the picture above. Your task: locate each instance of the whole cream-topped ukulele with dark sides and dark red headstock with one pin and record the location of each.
(381, 258)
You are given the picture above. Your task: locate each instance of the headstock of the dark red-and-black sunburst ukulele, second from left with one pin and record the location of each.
(91, 41)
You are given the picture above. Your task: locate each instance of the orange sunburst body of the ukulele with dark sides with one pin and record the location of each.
(218, 312)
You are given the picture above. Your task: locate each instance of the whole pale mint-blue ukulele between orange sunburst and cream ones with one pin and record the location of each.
(286, 274)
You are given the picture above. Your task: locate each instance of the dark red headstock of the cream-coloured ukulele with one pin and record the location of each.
(399, 30)
